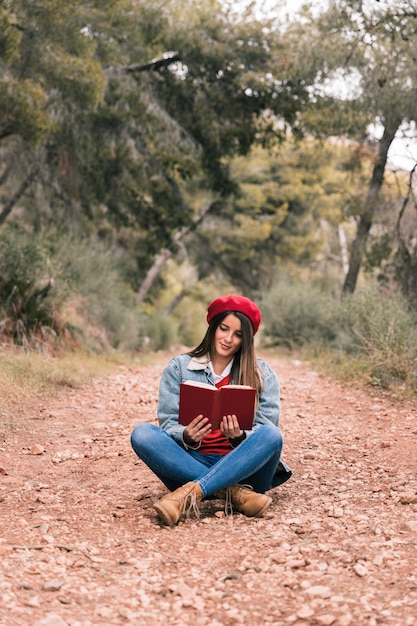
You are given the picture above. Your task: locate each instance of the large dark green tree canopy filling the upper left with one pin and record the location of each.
(113, 107)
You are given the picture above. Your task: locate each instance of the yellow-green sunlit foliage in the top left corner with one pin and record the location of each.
(47, 67)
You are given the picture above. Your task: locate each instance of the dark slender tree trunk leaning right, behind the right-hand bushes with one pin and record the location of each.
(366, 218)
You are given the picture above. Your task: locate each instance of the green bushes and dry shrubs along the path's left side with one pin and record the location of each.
(66, 288)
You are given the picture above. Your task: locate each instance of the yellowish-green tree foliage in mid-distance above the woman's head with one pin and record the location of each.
(287, 212)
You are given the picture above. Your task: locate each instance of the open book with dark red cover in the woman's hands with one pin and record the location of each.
(212, 402)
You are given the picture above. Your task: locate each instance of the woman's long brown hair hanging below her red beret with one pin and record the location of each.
(244, 369)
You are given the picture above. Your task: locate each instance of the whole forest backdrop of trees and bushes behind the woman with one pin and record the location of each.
(154, 155)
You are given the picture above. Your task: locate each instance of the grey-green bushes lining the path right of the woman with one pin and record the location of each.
(370, 332)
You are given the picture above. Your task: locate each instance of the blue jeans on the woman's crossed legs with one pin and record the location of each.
(253, 462)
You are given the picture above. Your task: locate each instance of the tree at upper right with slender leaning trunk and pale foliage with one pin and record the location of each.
(367, 78)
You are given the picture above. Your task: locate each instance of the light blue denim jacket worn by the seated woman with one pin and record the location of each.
(184, 367)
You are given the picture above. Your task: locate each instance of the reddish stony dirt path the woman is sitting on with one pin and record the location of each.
(80, 544)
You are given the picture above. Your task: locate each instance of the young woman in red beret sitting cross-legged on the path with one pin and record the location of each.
(195, 462)
